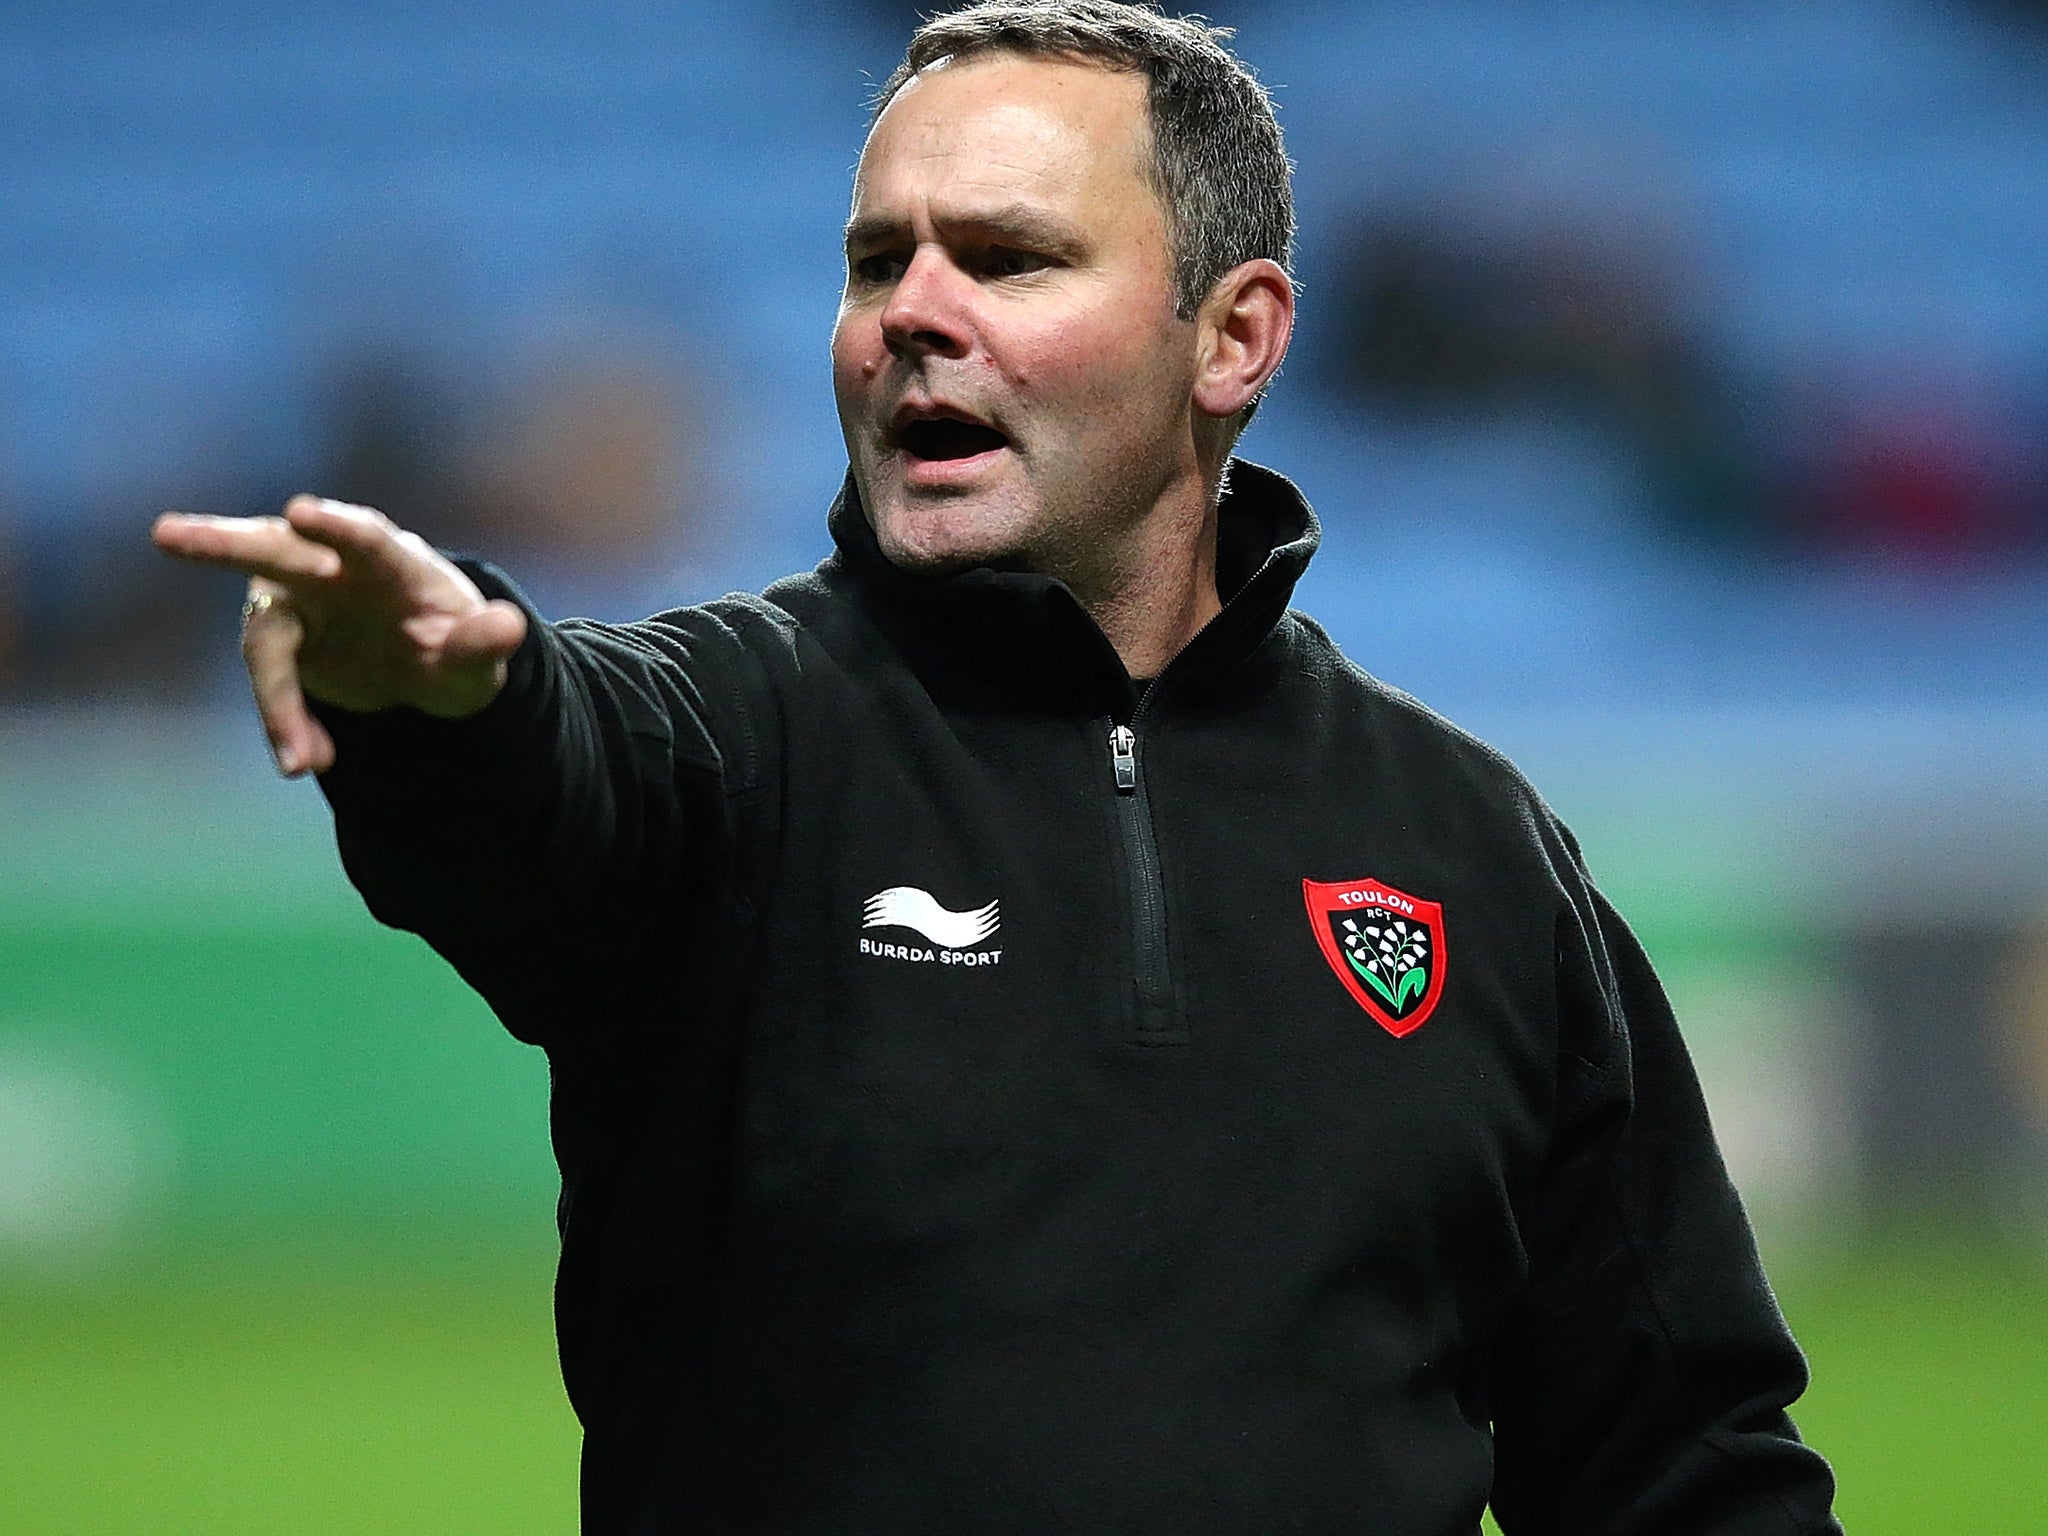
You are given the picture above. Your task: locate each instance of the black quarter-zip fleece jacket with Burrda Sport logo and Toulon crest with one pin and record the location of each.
(992, 1099)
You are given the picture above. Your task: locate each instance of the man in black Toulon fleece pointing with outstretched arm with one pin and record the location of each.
(1039, 1041)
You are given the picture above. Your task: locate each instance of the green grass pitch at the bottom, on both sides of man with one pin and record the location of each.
(361, 1394)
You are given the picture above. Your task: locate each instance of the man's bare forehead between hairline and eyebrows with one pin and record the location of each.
(1009, 124)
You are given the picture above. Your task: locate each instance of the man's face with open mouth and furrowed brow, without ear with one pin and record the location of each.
(1011, 374)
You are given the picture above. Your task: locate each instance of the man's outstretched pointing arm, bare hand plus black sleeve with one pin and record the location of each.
(534, 800)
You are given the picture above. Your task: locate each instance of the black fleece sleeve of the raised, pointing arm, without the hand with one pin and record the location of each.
(583, 818)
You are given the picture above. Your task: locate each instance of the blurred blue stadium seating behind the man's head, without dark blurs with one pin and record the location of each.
(204, 206)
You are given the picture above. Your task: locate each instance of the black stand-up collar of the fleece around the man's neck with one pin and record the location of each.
(1035, 632)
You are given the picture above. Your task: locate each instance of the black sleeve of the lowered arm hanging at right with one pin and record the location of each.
(1644, 1381)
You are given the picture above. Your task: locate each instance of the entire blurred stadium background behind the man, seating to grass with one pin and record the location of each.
(1672, 384)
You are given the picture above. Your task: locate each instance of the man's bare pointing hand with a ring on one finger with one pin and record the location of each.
(349, 609)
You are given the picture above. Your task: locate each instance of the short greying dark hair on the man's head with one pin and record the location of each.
(1218, 163)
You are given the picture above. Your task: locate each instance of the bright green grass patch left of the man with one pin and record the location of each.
(275, 1400)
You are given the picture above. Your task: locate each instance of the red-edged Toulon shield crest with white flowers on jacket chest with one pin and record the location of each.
(1385, 947)
